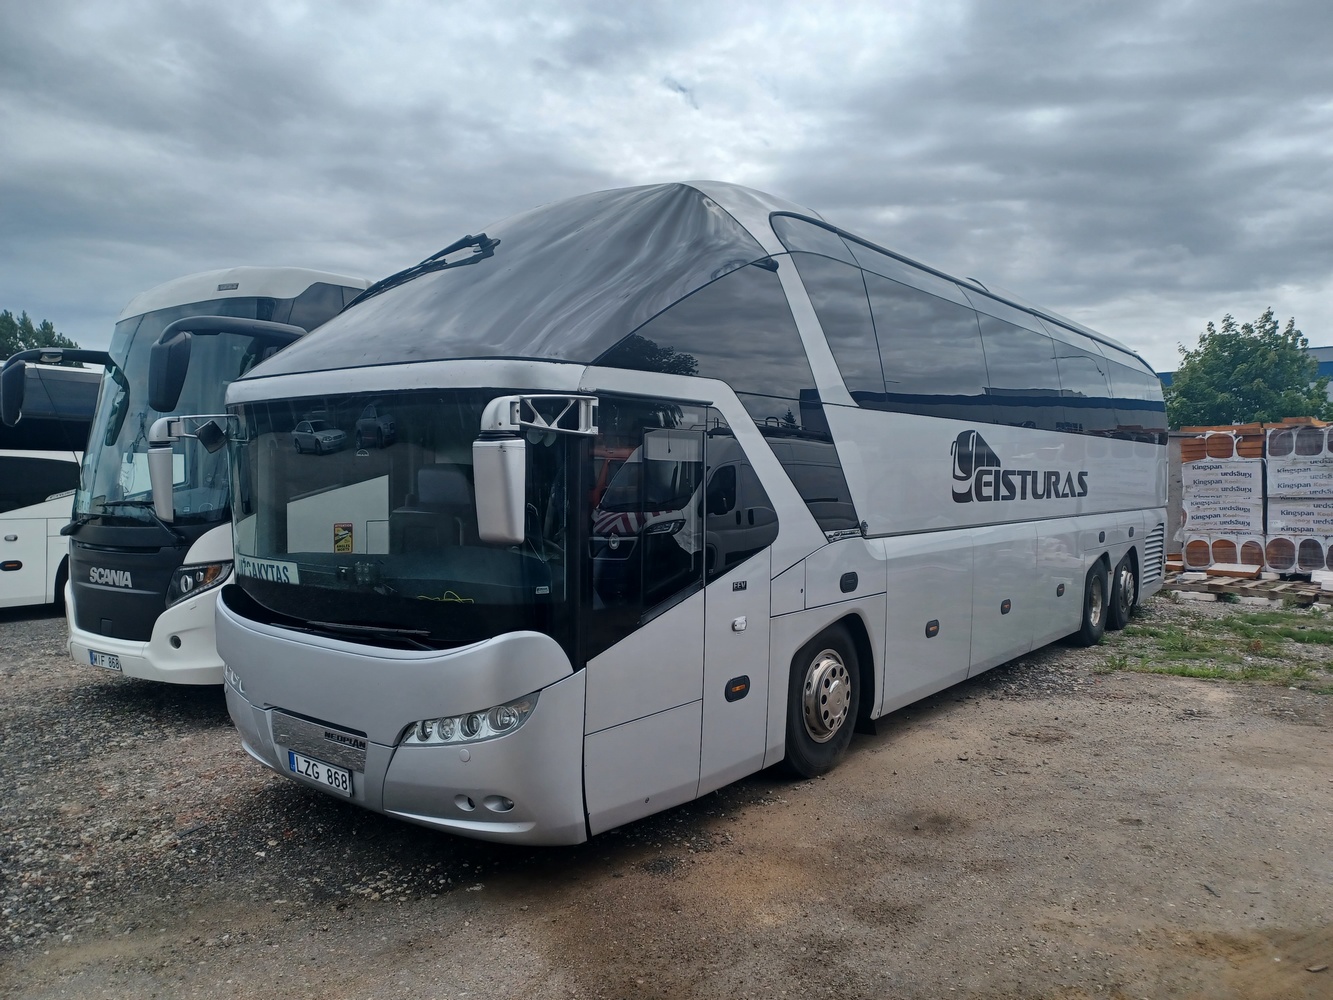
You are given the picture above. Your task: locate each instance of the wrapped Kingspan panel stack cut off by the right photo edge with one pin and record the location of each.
(1300, 499)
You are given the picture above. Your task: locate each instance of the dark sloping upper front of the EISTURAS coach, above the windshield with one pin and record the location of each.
(567, 282)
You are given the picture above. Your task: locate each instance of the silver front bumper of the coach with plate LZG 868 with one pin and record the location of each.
(525, 789)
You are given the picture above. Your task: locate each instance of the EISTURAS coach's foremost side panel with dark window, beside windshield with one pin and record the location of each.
(646, 615)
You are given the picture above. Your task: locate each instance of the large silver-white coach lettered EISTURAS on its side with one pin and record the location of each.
(683, 483)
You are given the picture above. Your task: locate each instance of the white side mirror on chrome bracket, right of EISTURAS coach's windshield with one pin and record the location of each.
(501, 457)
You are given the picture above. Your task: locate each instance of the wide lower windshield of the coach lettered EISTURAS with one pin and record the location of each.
(385, 537)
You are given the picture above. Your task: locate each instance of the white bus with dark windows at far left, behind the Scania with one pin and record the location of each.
(39, 471)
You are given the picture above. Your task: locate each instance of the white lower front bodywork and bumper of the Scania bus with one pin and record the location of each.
(193, 659)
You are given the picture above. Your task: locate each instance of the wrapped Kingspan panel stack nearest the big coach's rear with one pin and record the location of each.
(1223, 491)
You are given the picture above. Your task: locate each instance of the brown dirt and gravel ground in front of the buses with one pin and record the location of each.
(1044, 831)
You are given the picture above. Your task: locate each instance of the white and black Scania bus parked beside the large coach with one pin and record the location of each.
(138, 594)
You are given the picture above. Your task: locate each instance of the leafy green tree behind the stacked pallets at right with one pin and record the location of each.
(1247, 373)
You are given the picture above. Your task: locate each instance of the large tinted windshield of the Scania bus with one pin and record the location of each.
(114, 481)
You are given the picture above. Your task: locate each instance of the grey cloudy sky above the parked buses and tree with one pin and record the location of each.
(1140, 166)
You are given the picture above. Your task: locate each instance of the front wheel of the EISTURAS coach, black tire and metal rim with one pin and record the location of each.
(823, 701)
